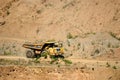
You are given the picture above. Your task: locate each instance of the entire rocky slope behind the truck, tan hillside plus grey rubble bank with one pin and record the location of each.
(87, 28)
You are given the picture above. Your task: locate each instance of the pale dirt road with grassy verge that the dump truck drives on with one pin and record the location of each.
(76, 62)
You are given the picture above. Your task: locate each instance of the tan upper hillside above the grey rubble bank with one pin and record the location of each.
(50, 19)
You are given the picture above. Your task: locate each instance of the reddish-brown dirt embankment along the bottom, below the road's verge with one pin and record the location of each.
(48, 73)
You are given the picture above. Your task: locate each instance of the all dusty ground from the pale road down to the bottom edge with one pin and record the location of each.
(17, 68)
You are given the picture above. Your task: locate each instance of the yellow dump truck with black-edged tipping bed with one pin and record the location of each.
(52, 48)
